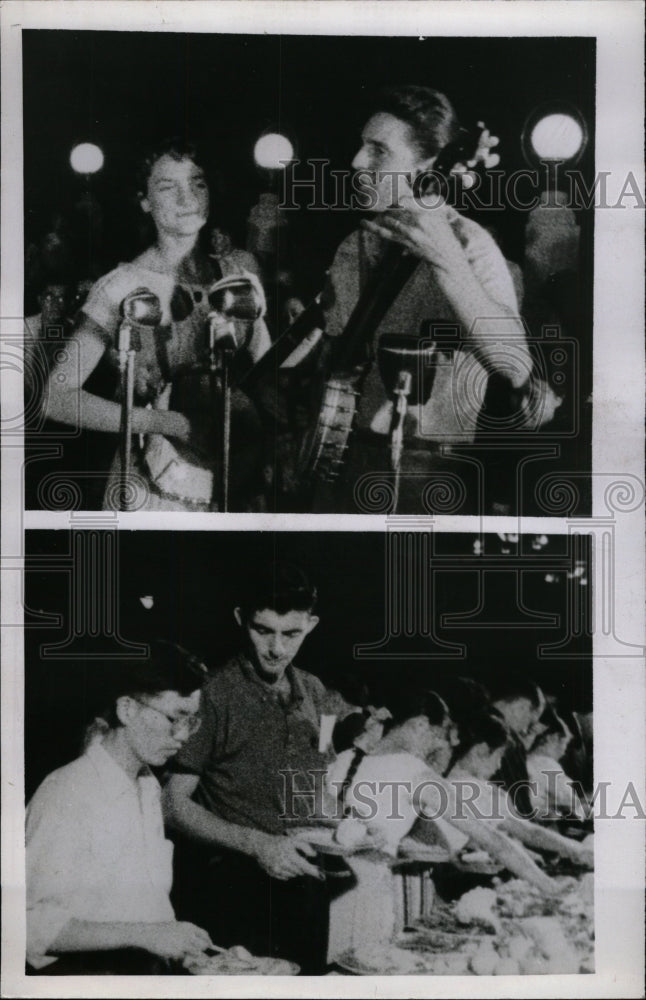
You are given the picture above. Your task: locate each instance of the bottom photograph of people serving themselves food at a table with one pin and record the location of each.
(313, 753)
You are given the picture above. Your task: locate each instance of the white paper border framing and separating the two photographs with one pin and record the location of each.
(618, 450)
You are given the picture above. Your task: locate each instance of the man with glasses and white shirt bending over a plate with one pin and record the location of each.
(98, 865)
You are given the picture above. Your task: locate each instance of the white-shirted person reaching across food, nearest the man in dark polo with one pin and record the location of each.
(384, 793)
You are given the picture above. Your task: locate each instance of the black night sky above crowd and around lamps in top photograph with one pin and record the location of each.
(124, 90)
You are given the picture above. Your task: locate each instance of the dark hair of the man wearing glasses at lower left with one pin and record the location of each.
(169, 667)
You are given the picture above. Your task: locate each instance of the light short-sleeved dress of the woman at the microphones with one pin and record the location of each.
(172, 355)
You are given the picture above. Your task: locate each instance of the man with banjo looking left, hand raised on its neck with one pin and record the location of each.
(411, 393)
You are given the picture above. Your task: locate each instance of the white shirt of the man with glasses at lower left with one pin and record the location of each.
(96, 851)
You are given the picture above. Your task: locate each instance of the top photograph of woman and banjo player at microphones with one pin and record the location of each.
(292, 274)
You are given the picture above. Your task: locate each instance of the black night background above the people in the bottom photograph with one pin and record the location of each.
(194, 578)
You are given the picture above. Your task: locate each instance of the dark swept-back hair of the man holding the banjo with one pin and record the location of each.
(427, 112)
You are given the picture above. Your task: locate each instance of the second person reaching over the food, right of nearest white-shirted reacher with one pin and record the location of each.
(483, 740)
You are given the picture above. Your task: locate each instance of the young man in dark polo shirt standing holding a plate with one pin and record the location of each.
(260, 730)
